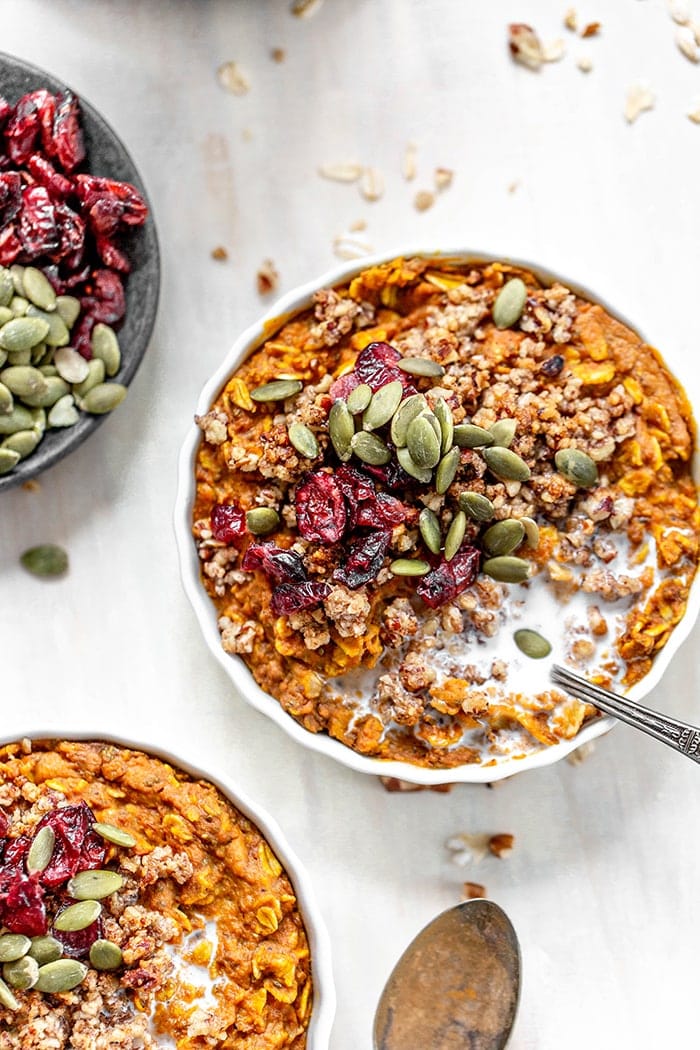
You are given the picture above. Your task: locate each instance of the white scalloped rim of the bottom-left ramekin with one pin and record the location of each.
(324, 1009)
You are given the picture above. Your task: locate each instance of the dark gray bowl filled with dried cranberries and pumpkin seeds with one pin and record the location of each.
(79, 270)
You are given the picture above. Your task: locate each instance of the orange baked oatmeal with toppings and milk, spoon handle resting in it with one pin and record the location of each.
(433, 478)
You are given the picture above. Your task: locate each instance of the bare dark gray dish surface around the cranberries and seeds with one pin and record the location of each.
(107, 156)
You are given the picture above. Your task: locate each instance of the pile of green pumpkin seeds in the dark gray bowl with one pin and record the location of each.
(45, 383)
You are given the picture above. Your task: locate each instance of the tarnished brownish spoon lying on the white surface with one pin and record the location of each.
(457, 985)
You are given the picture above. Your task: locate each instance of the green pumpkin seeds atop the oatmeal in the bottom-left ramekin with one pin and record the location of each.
(38, 963)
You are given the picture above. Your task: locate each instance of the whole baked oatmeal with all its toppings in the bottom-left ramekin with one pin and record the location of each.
(139, 909)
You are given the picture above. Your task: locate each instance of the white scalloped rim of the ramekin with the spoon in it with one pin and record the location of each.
(288, 305)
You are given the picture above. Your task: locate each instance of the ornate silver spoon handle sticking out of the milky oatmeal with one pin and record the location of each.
(678, 736)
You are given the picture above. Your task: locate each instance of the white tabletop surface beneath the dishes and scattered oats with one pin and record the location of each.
(603, 884)
